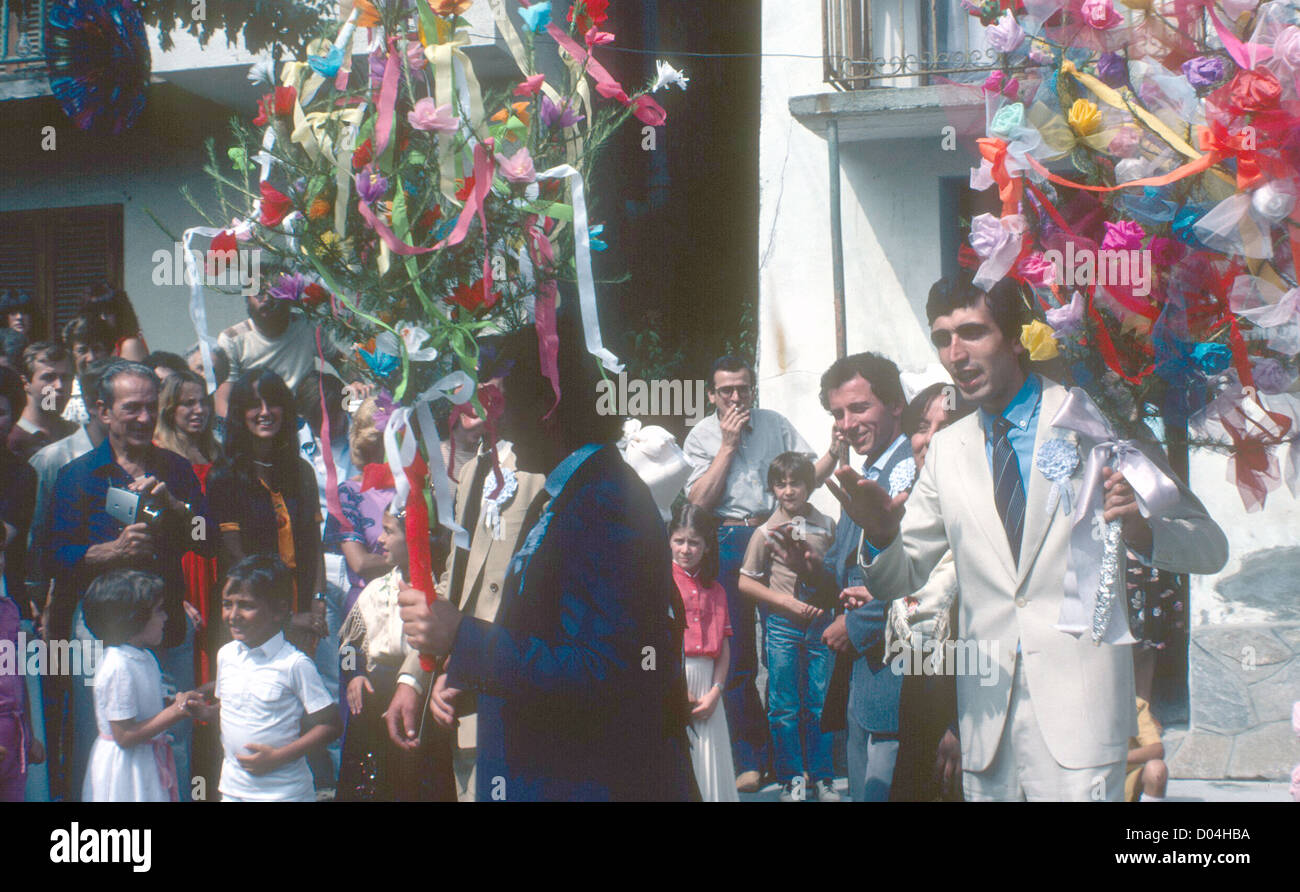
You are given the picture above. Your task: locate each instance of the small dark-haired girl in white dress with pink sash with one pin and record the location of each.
(132, 760)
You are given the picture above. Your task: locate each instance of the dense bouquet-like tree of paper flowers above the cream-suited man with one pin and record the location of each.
(1163, 267)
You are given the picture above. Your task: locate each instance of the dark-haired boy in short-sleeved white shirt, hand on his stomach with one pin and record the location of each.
(267, 692)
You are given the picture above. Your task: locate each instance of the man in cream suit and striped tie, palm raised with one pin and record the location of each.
(1058, 717)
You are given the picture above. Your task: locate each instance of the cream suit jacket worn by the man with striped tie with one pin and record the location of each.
(1084, 695)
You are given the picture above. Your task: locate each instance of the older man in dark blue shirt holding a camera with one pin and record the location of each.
(129, 505)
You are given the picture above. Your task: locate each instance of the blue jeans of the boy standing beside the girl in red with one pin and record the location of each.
(799, 672)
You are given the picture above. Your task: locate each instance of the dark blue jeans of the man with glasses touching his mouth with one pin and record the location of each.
(744, 709)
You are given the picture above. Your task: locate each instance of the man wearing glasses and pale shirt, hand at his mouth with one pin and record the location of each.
(730, 453)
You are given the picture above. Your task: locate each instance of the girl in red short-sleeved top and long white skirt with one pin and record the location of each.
(694, 539)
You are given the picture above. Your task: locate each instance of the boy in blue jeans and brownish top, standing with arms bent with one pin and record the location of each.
(799, 664)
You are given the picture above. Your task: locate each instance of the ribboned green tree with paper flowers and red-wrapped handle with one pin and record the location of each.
(408, 211)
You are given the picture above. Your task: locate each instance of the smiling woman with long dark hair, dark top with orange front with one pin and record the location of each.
(263, 496)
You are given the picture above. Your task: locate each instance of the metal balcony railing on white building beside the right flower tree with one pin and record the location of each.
(877, 44)
